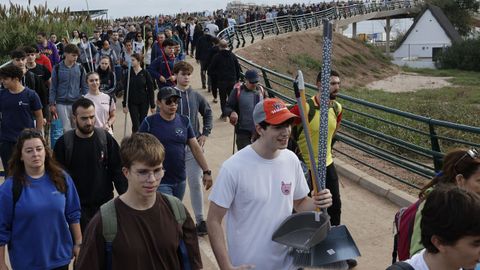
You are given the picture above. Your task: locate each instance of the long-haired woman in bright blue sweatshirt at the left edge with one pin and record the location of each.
(40, 209)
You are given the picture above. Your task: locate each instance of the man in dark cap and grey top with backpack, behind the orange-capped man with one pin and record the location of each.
(240, 103)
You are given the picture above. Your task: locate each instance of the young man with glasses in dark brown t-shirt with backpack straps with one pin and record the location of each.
(148, 236)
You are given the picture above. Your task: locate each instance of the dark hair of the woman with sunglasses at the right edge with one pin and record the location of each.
(454, 163)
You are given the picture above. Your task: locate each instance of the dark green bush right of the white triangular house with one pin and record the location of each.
(464, 55)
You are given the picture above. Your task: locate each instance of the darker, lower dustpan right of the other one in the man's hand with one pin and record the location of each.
(336, 247)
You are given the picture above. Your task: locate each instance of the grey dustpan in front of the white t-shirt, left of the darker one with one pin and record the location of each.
(303, 230)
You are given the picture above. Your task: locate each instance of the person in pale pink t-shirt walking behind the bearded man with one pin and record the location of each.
(104, 104)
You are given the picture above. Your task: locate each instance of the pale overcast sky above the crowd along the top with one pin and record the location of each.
(121, 8)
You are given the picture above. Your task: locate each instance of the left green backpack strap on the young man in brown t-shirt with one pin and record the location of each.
(109, 228)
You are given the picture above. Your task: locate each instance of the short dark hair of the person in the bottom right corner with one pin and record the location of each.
(449, 213)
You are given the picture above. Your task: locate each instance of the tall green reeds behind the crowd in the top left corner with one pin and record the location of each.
(20, 25)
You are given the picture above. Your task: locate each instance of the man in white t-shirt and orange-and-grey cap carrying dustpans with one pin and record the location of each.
(257, 189)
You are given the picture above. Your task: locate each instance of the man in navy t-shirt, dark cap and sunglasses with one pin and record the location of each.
(175, 132)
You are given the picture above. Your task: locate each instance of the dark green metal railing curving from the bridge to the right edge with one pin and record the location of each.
(405, 140)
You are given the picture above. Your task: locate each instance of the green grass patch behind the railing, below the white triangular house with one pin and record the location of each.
(458, 104)
